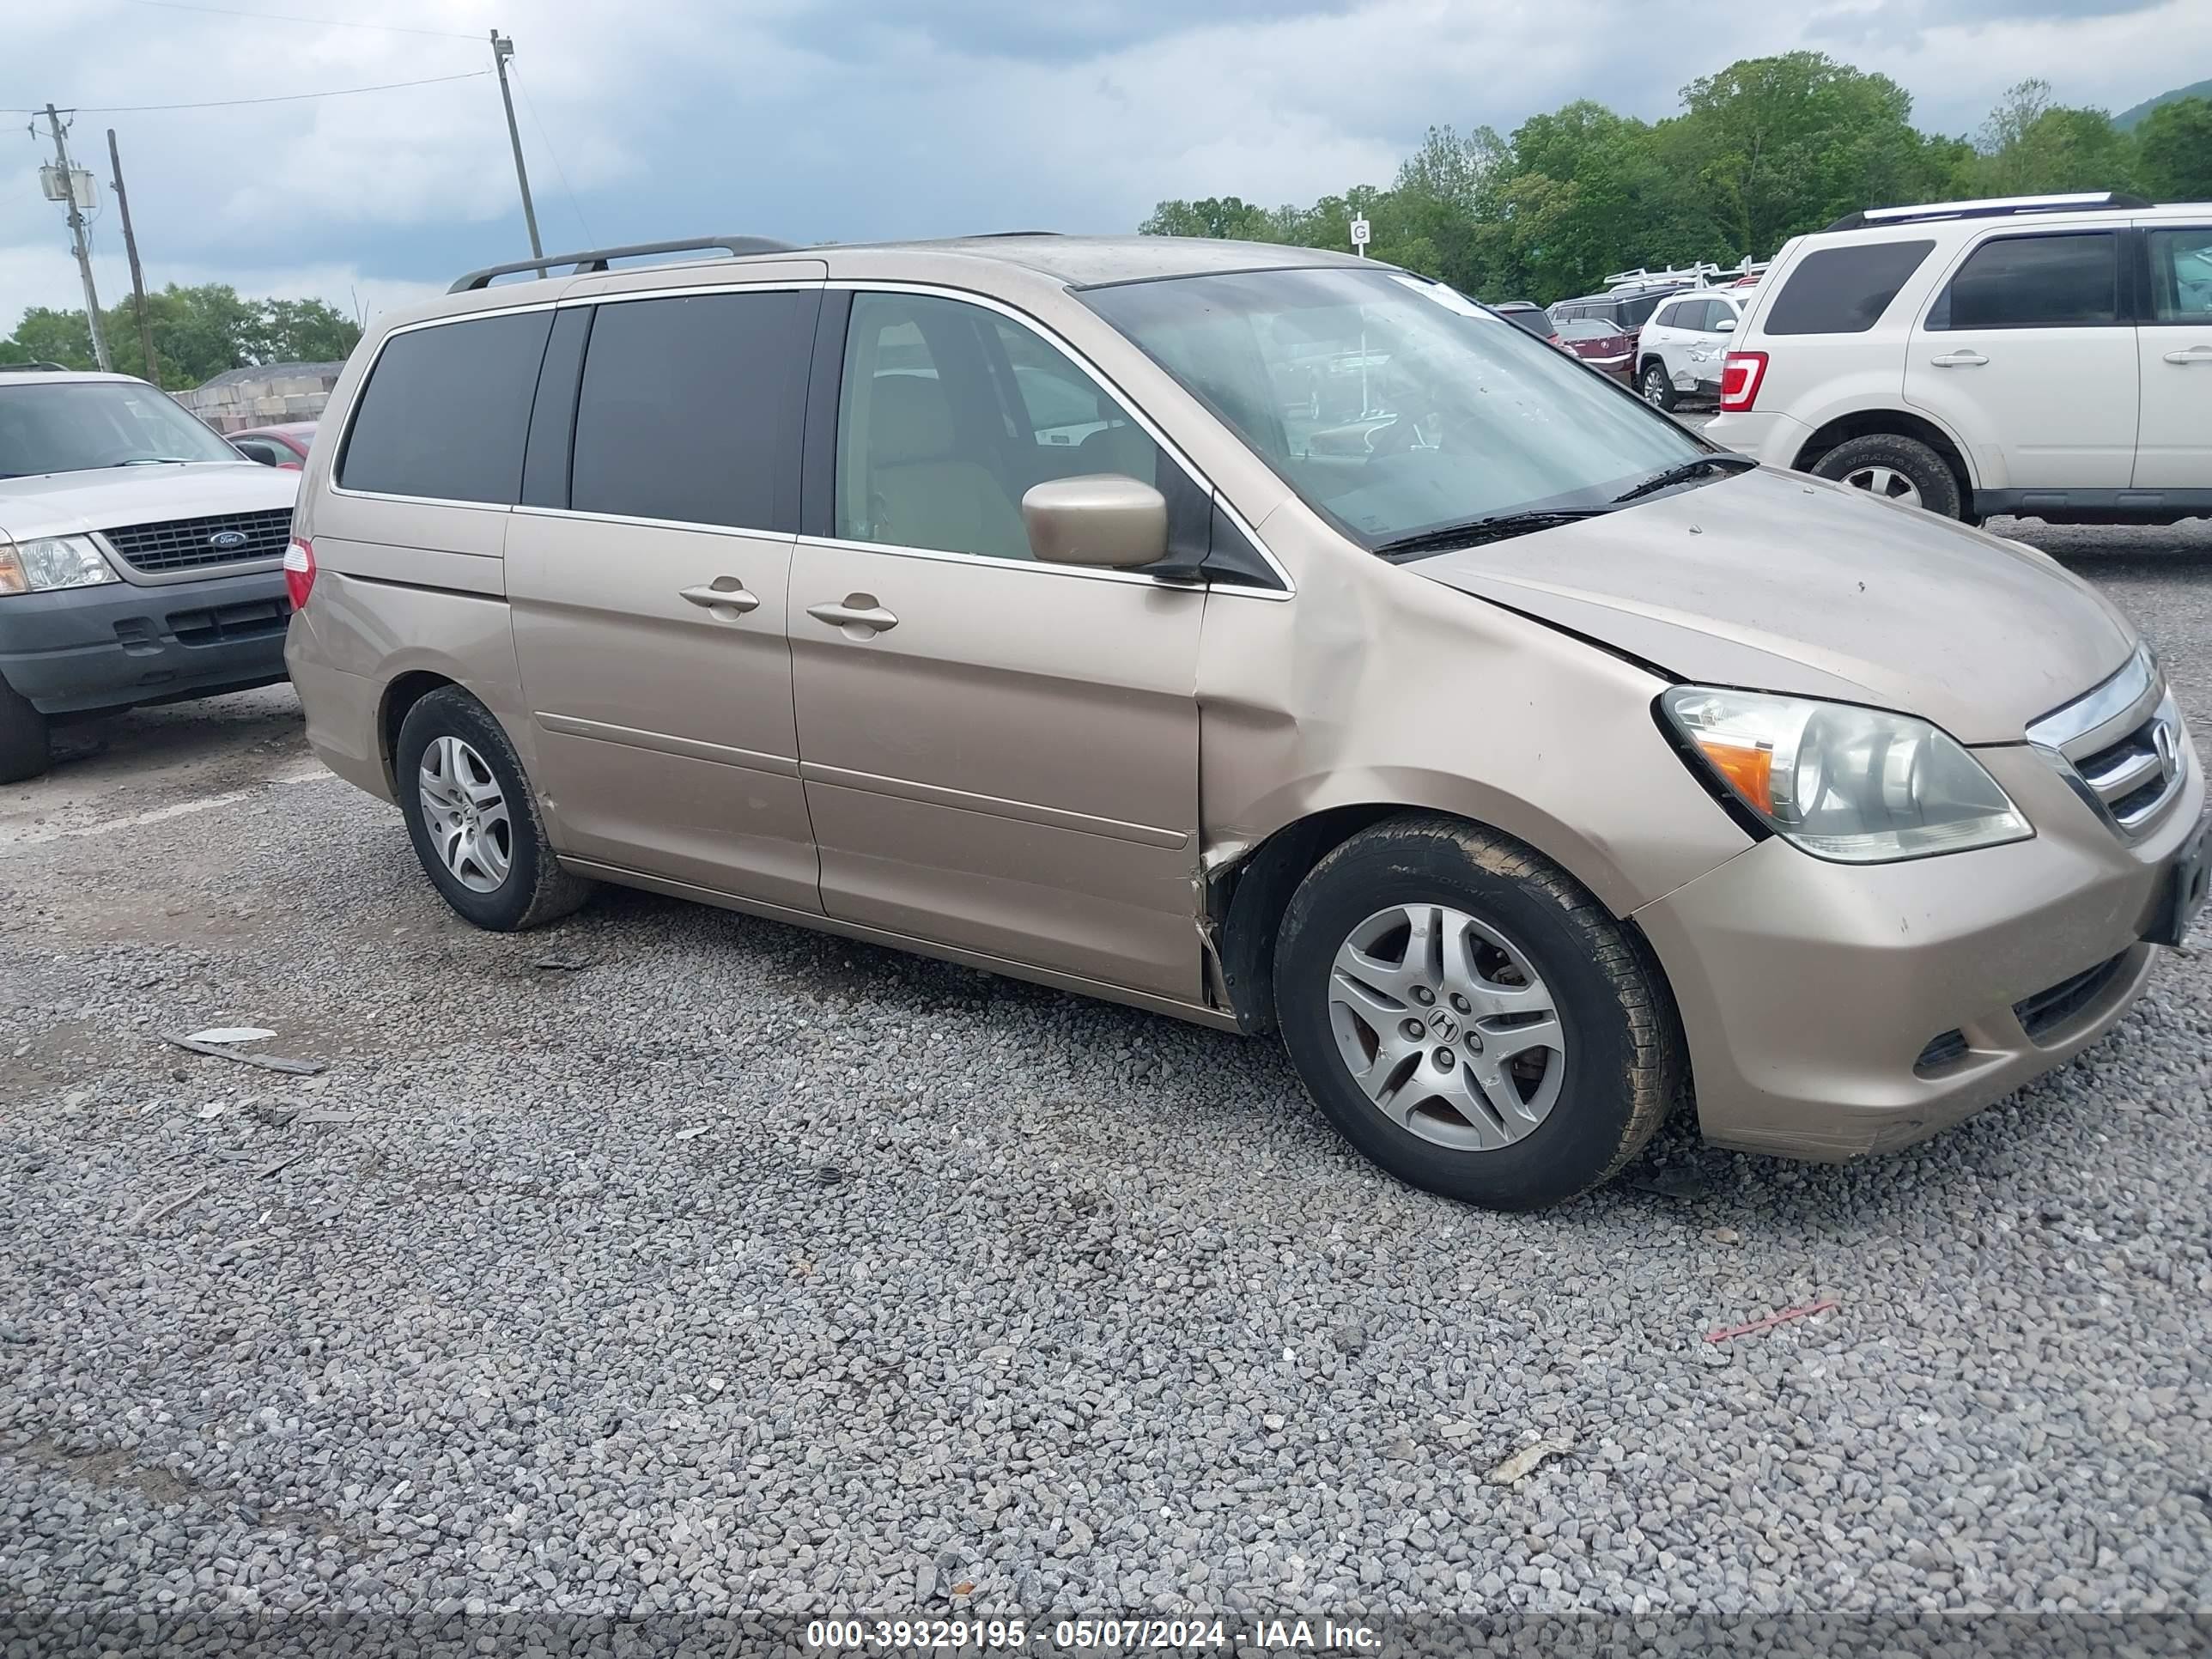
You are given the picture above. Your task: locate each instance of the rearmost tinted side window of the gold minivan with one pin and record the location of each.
(446, 413)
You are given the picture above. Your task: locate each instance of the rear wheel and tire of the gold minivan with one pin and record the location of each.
(474, 822)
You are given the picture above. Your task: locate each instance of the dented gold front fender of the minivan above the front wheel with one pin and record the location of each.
(1375, 685)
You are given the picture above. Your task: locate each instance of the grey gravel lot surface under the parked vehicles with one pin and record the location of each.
(735, 1266)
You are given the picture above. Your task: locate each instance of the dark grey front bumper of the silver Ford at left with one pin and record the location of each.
(121, 645)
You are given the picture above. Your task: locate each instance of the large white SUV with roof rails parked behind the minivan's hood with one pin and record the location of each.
(2038, 355)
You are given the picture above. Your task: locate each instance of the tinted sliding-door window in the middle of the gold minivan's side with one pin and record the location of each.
(691, 408)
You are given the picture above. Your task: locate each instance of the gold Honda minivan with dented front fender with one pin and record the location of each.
(1260, 636)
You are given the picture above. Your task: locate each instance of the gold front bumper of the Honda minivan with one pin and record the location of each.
(1811, 992)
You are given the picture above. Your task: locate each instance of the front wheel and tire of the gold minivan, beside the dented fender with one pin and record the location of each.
(1472, 1019)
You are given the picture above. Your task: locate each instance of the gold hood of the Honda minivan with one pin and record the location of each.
(1795, 585)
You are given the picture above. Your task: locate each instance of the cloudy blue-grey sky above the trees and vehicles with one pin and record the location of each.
(873, 118)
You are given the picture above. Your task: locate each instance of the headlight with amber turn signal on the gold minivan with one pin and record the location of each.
(1841, 782)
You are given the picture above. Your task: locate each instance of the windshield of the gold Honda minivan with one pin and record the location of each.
(1395, 406)
